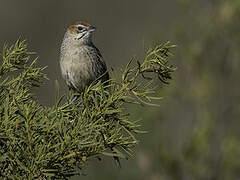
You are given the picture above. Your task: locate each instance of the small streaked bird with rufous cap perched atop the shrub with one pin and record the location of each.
(81, 62)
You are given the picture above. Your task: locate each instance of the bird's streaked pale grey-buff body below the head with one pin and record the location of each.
(81, 67)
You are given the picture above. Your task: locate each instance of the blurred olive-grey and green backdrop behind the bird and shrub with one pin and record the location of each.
(194, 134)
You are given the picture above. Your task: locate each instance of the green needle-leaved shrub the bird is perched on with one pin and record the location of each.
(38, 142)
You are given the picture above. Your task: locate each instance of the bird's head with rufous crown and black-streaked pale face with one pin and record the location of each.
(80, 32)
